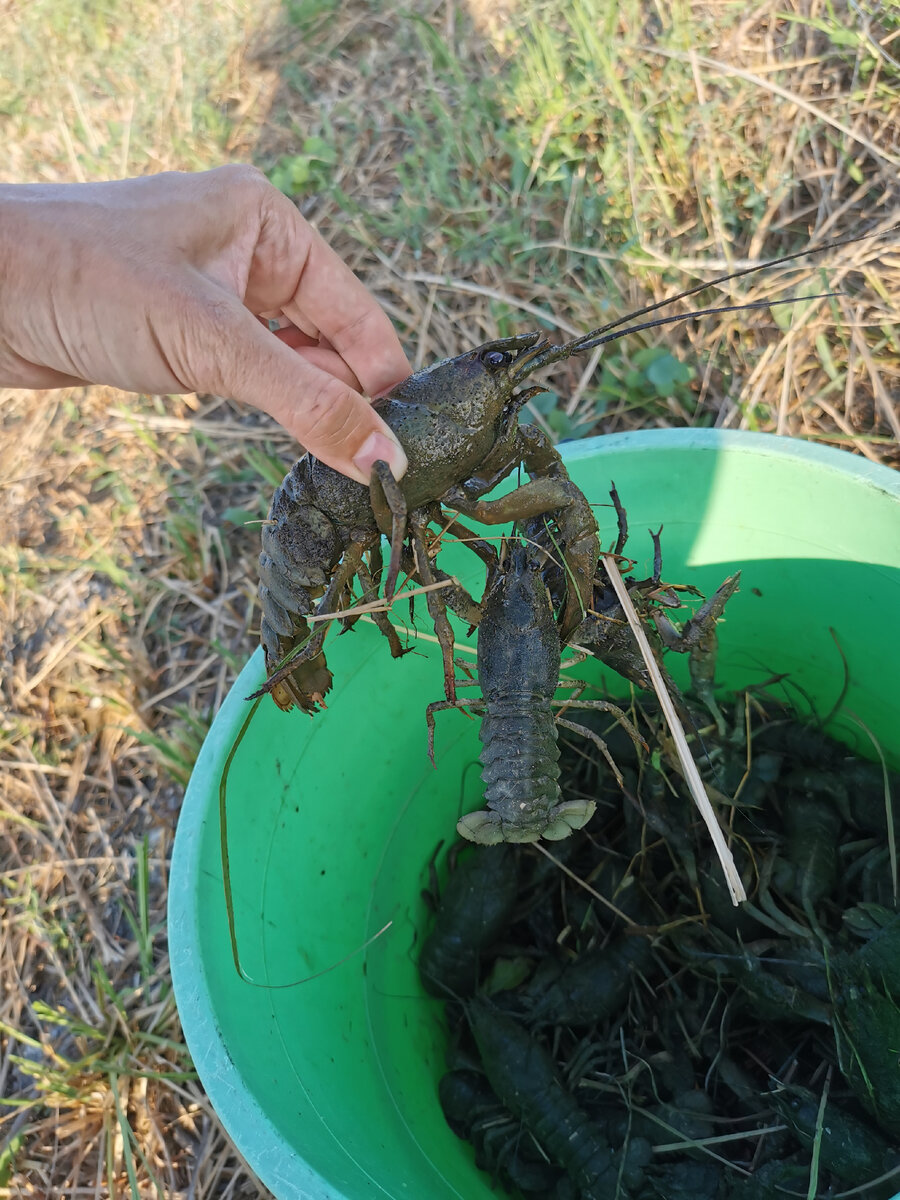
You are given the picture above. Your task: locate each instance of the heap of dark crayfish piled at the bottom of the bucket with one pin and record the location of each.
(621, 1031)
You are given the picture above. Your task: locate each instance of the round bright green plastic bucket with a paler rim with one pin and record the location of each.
(329, 1089)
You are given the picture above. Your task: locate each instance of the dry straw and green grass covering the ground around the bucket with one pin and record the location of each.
(448, 164)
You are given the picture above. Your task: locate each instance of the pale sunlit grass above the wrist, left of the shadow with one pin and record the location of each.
(97, 92)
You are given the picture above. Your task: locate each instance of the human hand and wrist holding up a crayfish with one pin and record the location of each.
(166, 284)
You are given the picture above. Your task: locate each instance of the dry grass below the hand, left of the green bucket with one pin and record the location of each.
(127, 610)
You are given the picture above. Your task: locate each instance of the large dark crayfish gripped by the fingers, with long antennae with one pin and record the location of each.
(458, 422)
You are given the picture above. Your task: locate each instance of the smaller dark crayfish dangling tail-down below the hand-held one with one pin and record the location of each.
(518, 663)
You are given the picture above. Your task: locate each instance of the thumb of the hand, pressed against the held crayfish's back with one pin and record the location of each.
(325, 415)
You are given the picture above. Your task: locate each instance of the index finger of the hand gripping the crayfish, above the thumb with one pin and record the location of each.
(341, 308)
